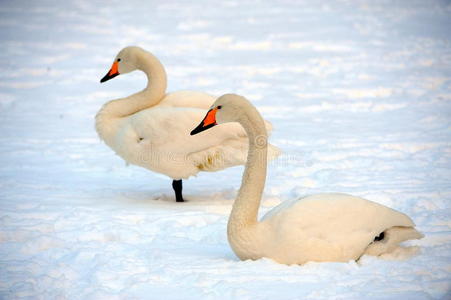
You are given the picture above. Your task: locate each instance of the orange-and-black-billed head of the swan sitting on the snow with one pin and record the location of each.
(227, 108)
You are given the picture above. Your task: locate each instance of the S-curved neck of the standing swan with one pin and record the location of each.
(155, 90)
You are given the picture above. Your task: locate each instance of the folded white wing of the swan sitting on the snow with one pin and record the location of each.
(334, 226)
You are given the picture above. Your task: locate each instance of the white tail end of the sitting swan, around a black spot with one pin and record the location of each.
(391, 240)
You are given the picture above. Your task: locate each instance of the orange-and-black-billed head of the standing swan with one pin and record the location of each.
(126, 61)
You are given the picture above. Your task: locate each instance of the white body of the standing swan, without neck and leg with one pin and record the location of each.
(159, 139)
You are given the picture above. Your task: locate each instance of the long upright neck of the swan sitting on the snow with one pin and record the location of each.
(245, 208)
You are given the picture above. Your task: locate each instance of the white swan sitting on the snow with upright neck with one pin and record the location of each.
(323, 227)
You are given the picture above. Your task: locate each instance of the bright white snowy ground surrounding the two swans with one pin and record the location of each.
(360, 97)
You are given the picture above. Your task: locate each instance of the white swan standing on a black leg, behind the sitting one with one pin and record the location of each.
(150, 128)
